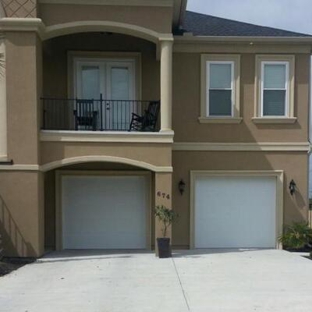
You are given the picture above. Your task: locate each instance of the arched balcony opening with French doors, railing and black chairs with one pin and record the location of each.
(95, 79)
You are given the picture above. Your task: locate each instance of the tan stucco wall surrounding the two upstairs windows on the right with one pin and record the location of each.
(186, 105)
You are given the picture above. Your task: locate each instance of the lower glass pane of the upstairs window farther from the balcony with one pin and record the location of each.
(274, 102)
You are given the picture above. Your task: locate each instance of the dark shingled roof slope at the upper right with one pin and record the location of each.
(207, 25)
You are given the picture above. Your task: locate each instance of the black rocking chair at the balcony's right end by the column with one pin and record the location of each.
(148, 121)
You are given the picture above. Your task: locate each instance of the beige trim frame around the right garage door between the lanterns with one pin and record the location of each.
(278, 174)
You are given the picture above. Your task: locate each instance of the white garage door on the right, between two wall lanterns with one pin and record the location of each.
(235, 212)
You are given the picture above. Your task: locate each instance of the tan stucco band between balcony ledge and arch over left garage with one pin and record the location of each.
(154, 154)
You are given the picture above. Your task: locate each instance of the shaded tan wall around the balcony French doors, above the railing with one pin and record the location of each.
(55, 60)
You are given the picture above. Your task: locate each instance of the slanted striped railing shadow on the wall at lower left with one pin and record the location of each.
(12, 238)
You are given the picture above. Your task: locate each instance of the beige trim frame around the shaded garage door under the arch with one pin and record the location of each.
(58, 198)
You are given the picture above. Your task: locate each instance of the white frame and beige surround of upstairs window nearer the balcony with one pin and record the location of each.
(206, 60)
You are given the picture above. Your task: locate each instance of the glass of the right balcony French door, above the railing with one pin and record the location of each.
(120, 83)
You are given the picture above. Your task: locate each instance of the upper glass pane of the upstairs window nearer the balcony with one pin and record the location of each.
(220, 76)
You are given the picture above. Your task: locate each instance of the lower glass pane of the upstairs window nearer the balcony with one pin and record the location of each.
(220, 103)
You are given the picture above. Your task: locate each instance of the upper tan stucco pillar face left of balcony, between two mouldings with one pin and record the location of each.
(23, 68)
